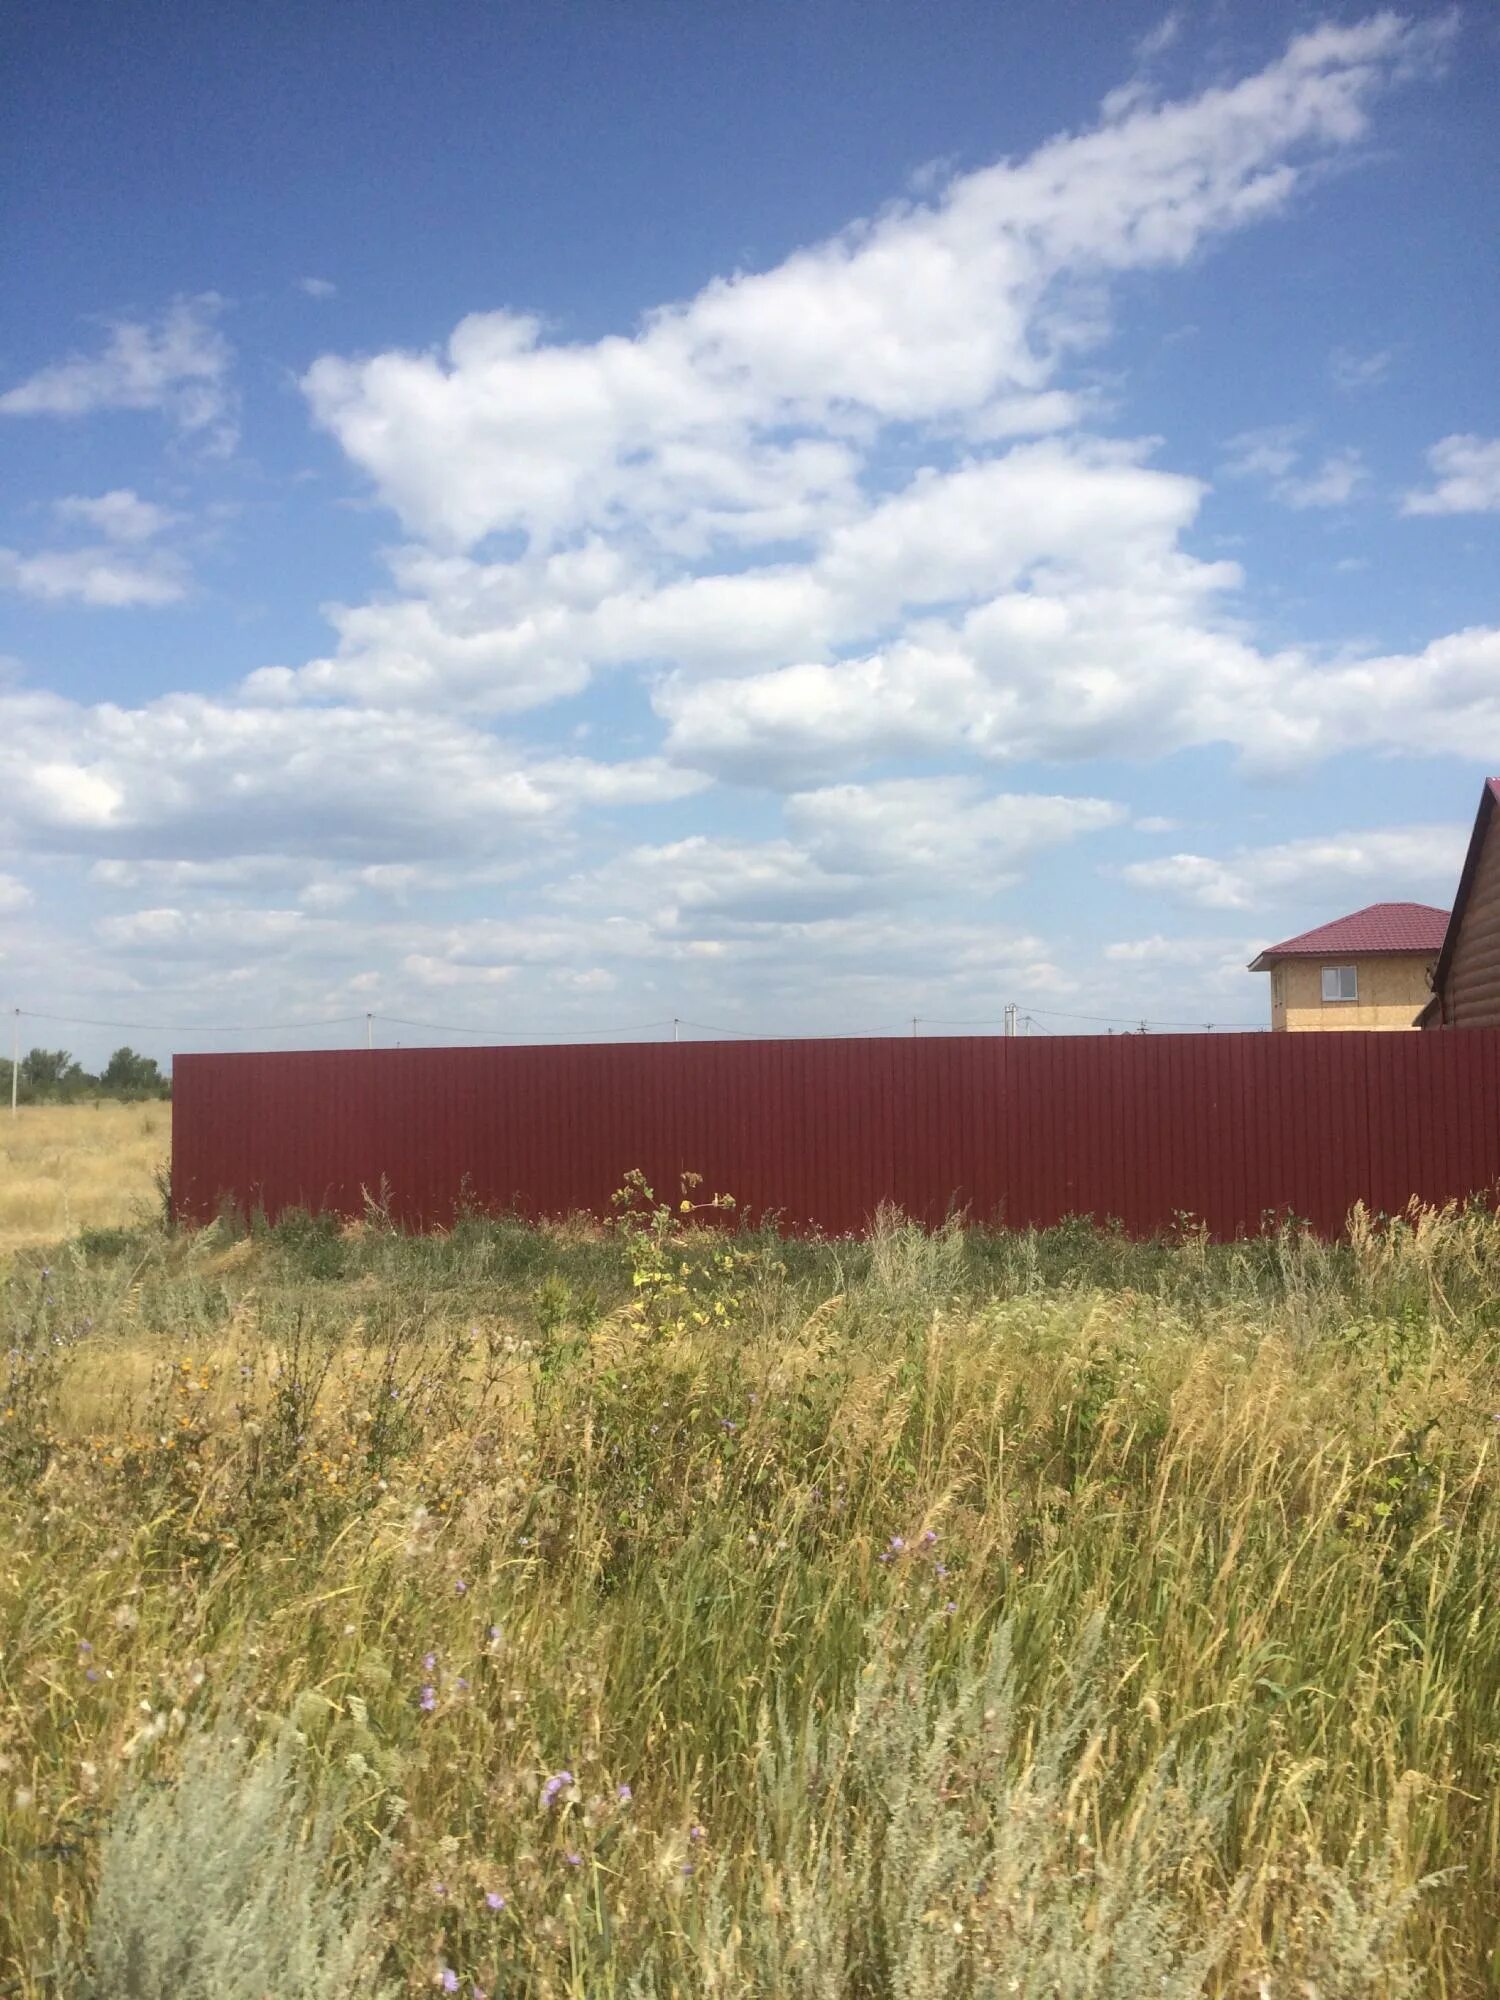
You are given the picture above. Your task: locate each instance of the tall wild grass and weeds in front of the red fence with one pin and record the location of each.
(667, 1611)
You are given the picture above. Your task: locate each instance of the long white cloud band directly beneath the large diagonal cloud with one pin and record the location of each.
(515, 635)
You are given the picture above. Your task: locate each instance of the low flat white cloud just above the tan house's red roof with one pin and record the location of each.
(1381, 865)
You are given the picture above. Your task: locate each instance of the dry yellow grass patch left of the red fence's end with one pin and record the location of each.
(69, 1167)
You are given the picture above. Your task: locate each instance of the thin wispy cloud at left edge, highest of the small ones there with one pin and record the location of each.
(177, 365)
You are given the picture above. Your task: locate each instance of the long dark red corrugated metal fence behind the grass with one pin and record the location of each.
(1141, 1129)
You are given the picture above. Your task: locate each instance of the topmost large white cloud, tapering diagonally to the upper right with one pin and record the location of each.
(935, 313)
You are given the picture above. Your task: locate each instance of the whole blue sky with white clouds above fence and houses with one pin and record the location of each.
(781, 517)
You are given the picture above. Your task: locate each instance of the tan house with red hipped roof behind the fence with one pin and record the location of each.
(1365, 971)
